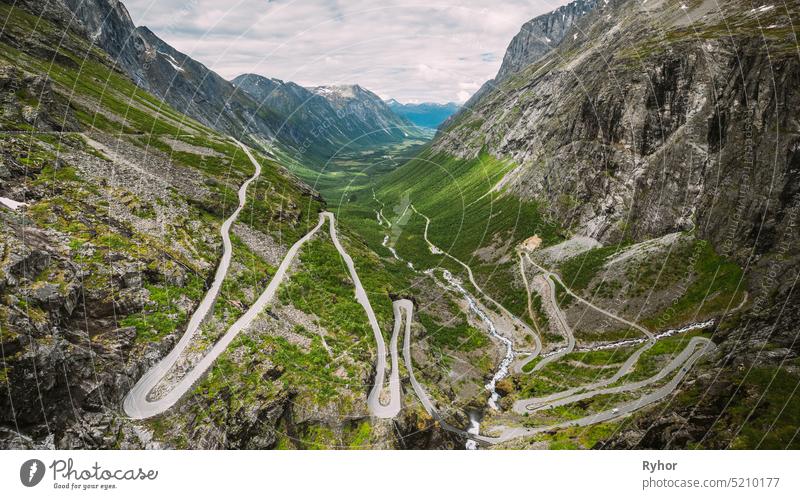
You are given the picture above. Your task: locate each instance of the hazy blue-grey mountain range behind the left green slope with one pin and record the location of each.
(264, 110)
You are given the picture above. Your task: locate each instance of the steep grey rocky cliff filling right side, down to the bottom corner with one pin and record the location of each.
(655, 118)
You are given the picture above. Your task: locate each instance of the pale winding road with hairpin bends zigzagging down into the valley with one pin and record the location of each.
(139, 405)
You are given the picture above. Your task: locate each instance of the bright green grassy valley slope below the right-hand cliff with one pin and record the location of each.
(465, 216)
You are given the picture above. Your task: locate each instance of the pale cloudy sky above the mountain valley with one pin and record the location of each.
(413, 51)
